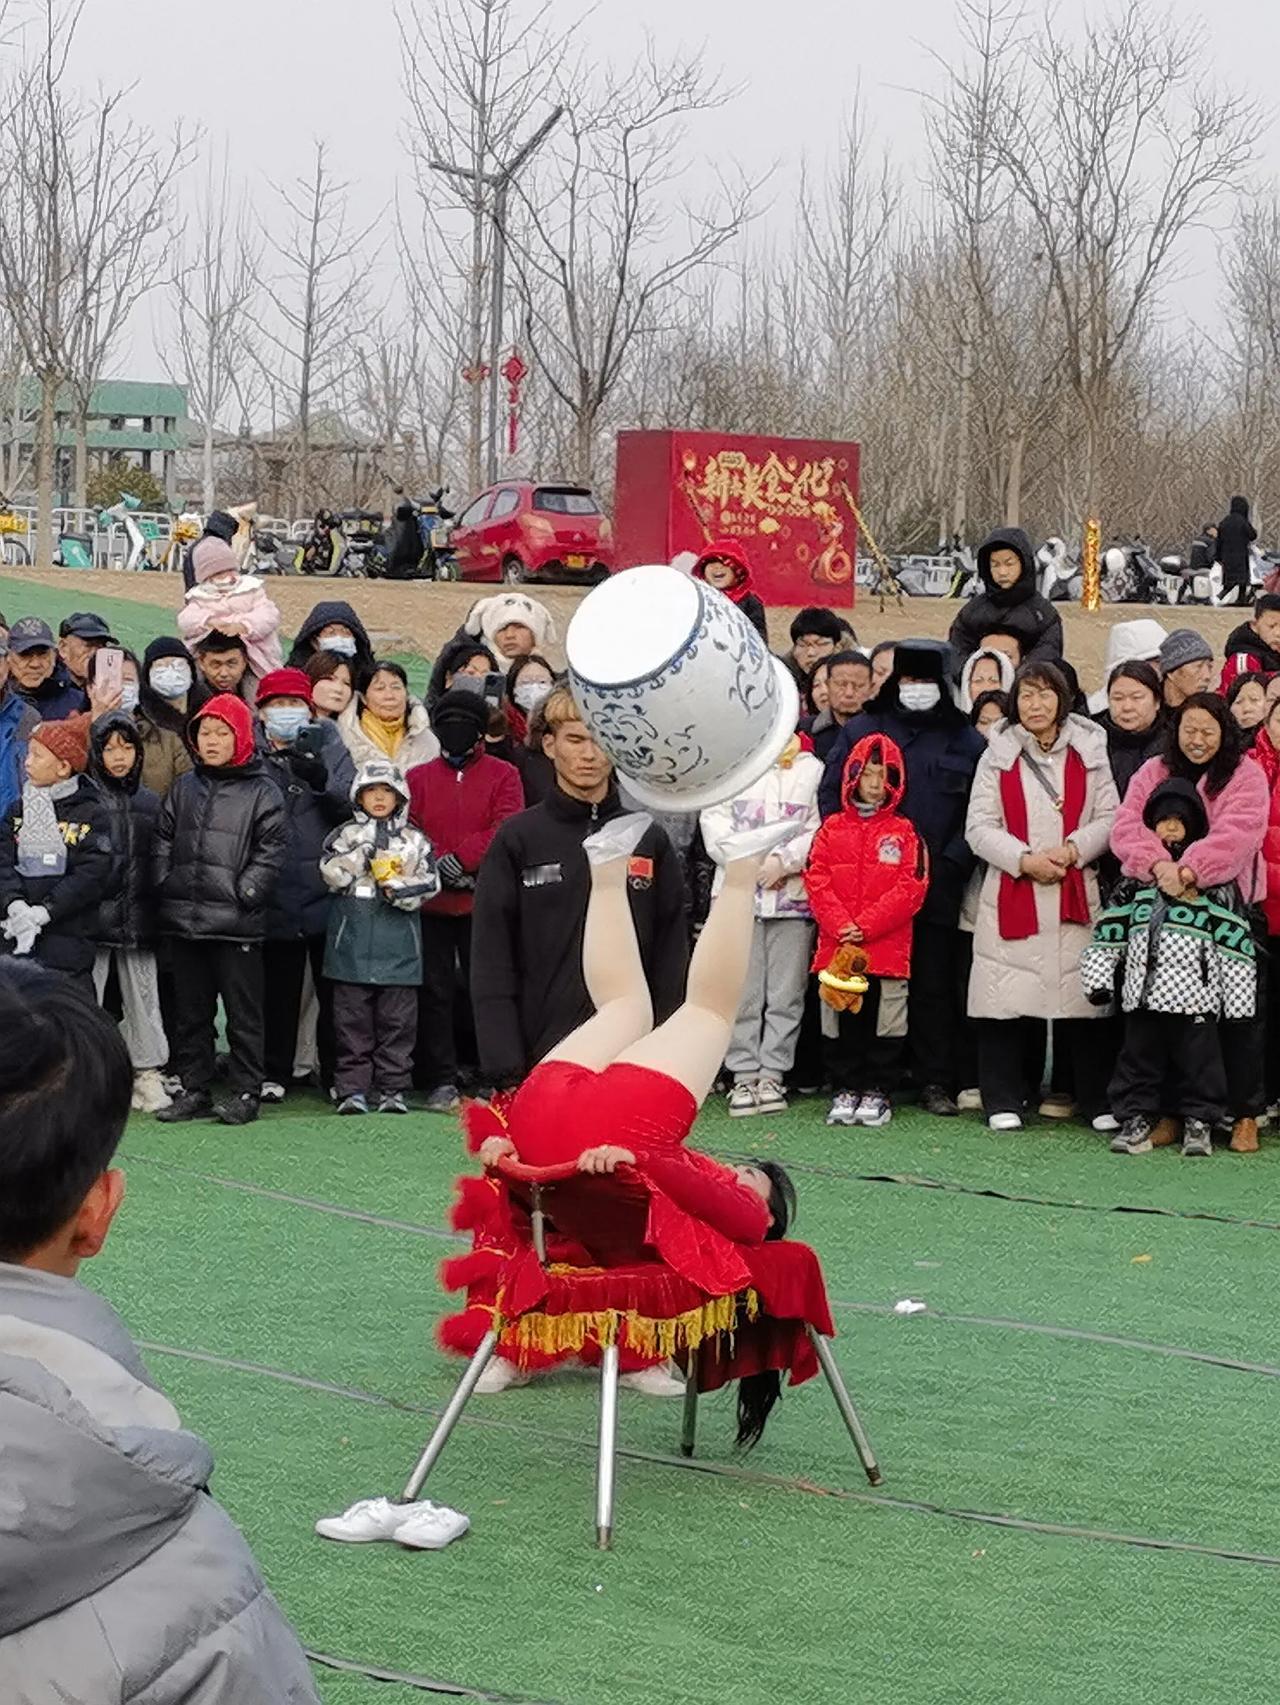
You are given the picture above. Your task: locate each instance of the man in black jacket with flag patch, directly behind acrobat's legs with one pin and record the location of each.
(531, 905)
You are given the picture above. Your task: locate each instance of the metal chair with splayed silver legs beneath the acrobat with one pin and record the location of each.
(538, 1184)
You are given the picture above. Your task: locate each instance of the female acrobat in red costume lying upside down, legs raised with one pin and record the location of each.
(620, 1092)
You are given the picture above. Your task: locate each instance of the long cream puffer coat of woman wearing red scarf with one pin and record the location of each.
(1039, 978)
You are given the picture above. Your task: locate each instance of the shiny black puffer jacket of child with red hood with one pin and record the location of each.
(221, 840)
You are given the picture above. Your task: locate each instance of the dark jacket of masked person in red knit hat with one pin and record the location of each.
(314, 780)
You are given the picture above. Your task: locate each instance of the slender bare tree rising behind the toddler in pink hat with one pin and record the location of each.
(212, 287)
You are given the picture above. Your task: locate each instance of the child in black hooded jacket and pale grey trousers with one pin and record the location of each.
(125, 932)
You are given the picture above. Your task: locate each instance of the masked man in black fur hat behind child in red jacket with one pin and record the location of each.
(942, 753)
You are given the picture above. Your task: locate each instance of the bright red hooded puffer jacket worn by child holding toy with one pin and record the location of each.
(872, 872)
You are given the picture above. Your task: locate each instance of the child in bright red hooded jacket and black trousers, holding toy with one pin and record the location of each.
(867, 879)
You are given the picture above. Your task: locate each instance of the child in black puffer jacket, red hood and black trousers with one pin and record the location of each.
(219, 847)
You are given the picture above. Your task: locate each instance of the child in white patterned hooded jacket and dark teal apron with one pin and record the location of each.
(379, 870)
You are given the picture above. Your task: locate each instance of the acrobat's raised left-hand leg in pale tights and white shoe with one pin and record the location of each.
(611, 956)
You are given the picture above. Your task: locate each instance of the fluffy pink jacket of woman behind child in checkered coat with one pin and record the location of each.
(1231, 852)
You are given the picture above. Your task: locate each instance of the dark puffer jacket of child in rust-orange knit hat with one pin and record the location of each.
(71, 899)
